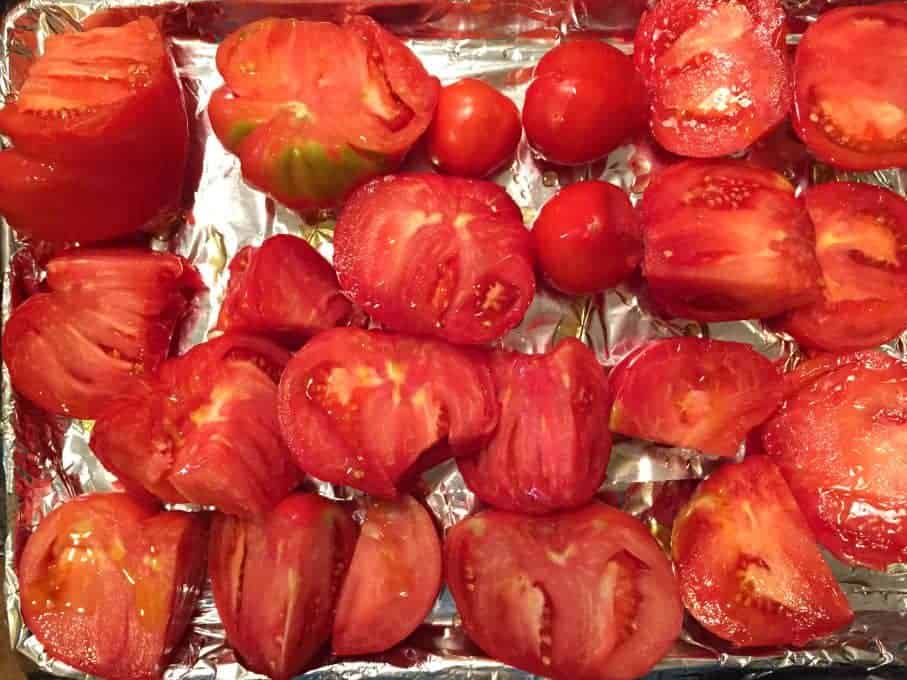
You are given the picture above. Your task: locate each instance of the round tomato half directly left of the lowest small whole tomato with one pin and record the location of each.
(439, 256)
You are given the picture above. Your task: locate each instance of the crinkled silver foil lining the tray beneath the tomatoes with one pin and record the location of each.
(46, 461)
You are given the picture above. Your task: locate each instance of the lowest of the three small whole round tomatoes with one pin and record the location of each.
(586, 238)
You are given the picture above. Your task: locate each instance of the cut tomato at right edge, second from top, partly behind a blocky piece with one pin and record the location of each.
(861, 243)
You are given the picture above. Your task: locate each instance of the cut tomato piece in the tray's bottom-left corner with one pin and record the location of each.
(108, 585)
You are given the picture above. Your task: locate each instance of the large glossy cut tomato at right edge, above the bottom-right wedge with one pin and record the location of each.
(838, 441)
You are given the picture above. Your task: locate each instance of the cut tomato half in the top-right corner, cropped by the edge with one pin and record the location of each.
(850, 104)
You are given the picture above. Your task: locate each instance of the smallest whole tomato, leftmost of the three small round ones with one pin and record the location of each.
(476, 129)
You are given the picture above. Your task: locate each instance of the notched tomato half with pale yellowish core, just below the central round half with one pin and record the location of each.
(369, 409)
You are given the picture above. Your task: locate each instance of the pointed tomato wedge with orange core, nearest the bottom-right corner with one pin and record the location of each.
(749, 568)
